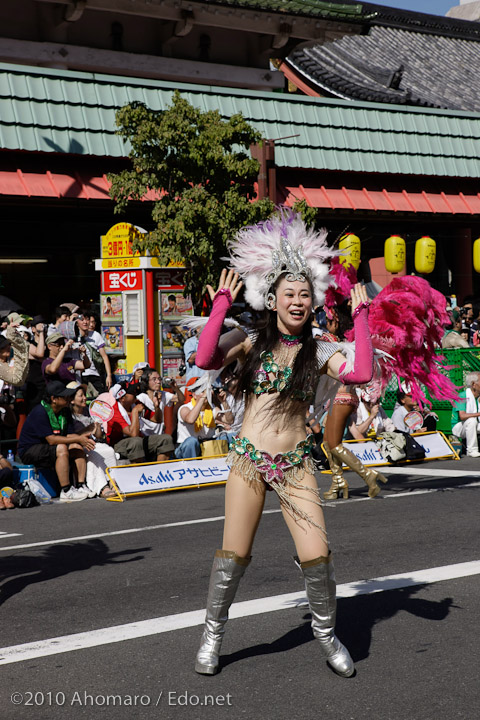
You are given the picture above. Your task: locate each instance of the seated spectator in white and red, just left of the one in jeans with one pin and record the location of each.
(154, 401)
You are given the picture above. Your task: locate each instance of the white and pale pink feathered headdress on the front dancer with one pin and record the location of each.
(281, 245)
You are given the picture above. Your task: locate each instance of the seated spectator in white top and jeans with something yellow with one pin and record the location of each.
(196, 422)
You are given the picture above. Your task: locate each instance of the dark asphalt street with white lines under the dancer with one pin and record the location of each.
(71, 569)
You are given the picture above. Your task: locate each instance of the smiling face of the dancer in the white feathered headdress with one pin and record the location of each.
(294, 305)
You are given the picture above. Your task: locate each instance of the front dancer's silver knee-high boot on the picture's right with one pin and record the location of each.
(320, 585)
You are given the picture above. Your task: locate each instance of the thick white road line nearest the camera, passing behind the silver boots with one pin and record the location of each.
(155, 626)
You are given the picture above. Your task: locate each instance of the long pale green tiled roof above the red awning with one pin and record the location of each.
(63, 111)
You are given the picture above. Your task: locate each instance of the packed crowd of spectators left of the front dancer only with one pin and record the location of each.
(49, 376)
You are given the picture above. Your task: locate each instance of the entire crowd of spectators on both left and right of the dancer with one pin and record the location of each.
(51, 372)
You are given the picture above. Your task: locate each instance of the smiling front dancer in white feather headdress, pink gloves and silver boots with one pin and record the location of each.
(285, 273)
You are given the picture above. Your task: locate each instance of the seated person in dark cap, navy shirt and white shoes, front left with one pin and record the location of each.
(48, 440)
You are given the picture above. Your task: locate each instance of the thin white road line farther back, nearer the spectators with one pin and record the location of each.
(407, 493)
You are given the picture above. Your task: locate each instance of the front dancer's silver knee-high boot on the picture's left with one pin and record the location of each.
(227, 571)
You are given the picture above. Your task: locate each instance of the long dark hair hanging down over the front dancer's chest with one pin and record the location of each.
(305, 368)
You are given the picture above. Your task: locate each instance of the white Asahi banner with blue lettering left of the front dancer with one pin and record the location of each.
(169, 475)
